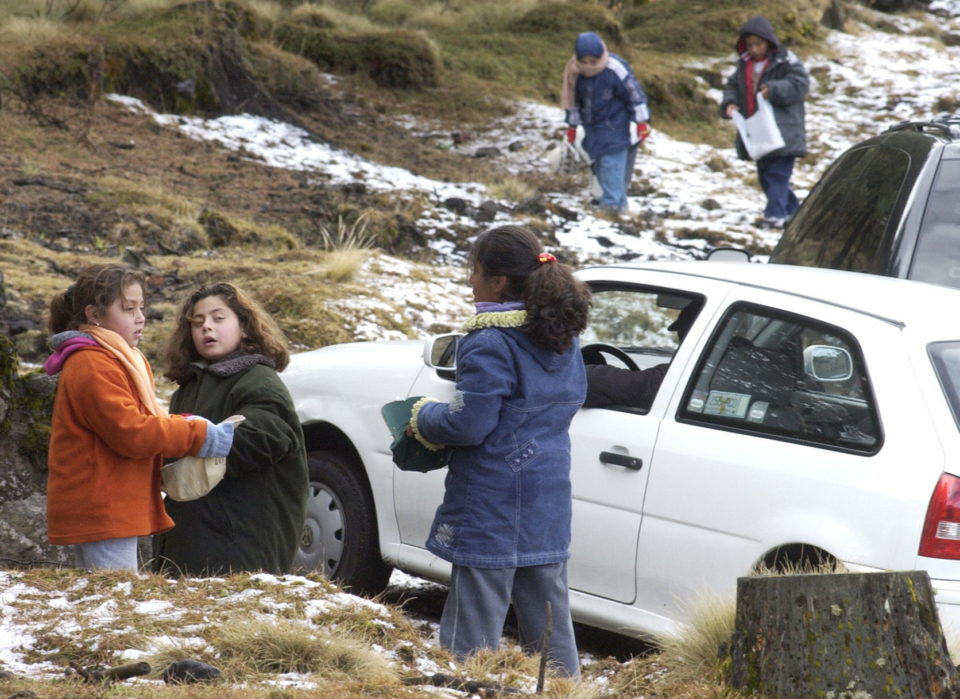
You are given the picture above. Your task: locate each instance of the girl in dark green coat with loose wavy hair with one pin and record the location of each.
(225, 355)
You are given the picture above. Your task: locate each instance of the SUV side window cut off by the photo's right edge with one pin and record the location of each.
(937, 255)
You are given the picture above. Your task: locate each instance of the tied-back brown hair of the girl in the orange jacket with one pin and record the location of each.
(97, 286)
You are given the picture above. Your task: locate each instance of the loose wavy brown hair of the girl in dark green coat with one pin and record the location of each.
(261, 333)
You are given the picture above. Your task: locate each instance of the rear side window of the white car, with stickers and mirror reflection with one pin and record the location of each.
(784, 376)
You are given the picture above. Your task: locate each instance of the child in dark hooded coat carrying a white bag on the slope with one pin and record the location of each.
(767, 68)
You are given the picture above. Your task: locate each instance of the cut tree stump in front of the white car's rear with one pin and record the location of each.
(840, 635)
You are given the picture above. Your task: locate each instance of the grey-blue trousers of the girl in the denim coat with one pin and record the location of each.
(478, 601)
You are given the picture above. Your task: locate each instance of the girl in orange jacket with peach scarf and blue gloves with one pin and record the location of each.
(108, 434)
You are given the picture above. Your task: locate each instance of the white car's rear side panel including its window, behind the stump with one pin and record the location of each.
(756, 456)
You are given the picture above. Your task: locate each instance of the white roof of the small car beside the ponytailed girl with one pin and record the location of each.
(896, 300)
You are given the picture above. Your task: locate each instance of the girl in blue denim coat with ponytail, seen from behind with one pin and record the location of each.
(505, 518)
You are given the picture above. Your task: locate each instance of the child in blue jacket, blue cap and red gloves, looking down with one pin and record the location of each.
(601, 92)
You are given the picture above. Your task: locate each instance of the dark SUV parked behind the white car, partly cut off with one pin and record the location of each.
(889, 205)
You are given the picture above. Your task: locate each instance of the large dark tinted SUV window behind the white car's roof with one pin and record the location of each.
(842, 224)
